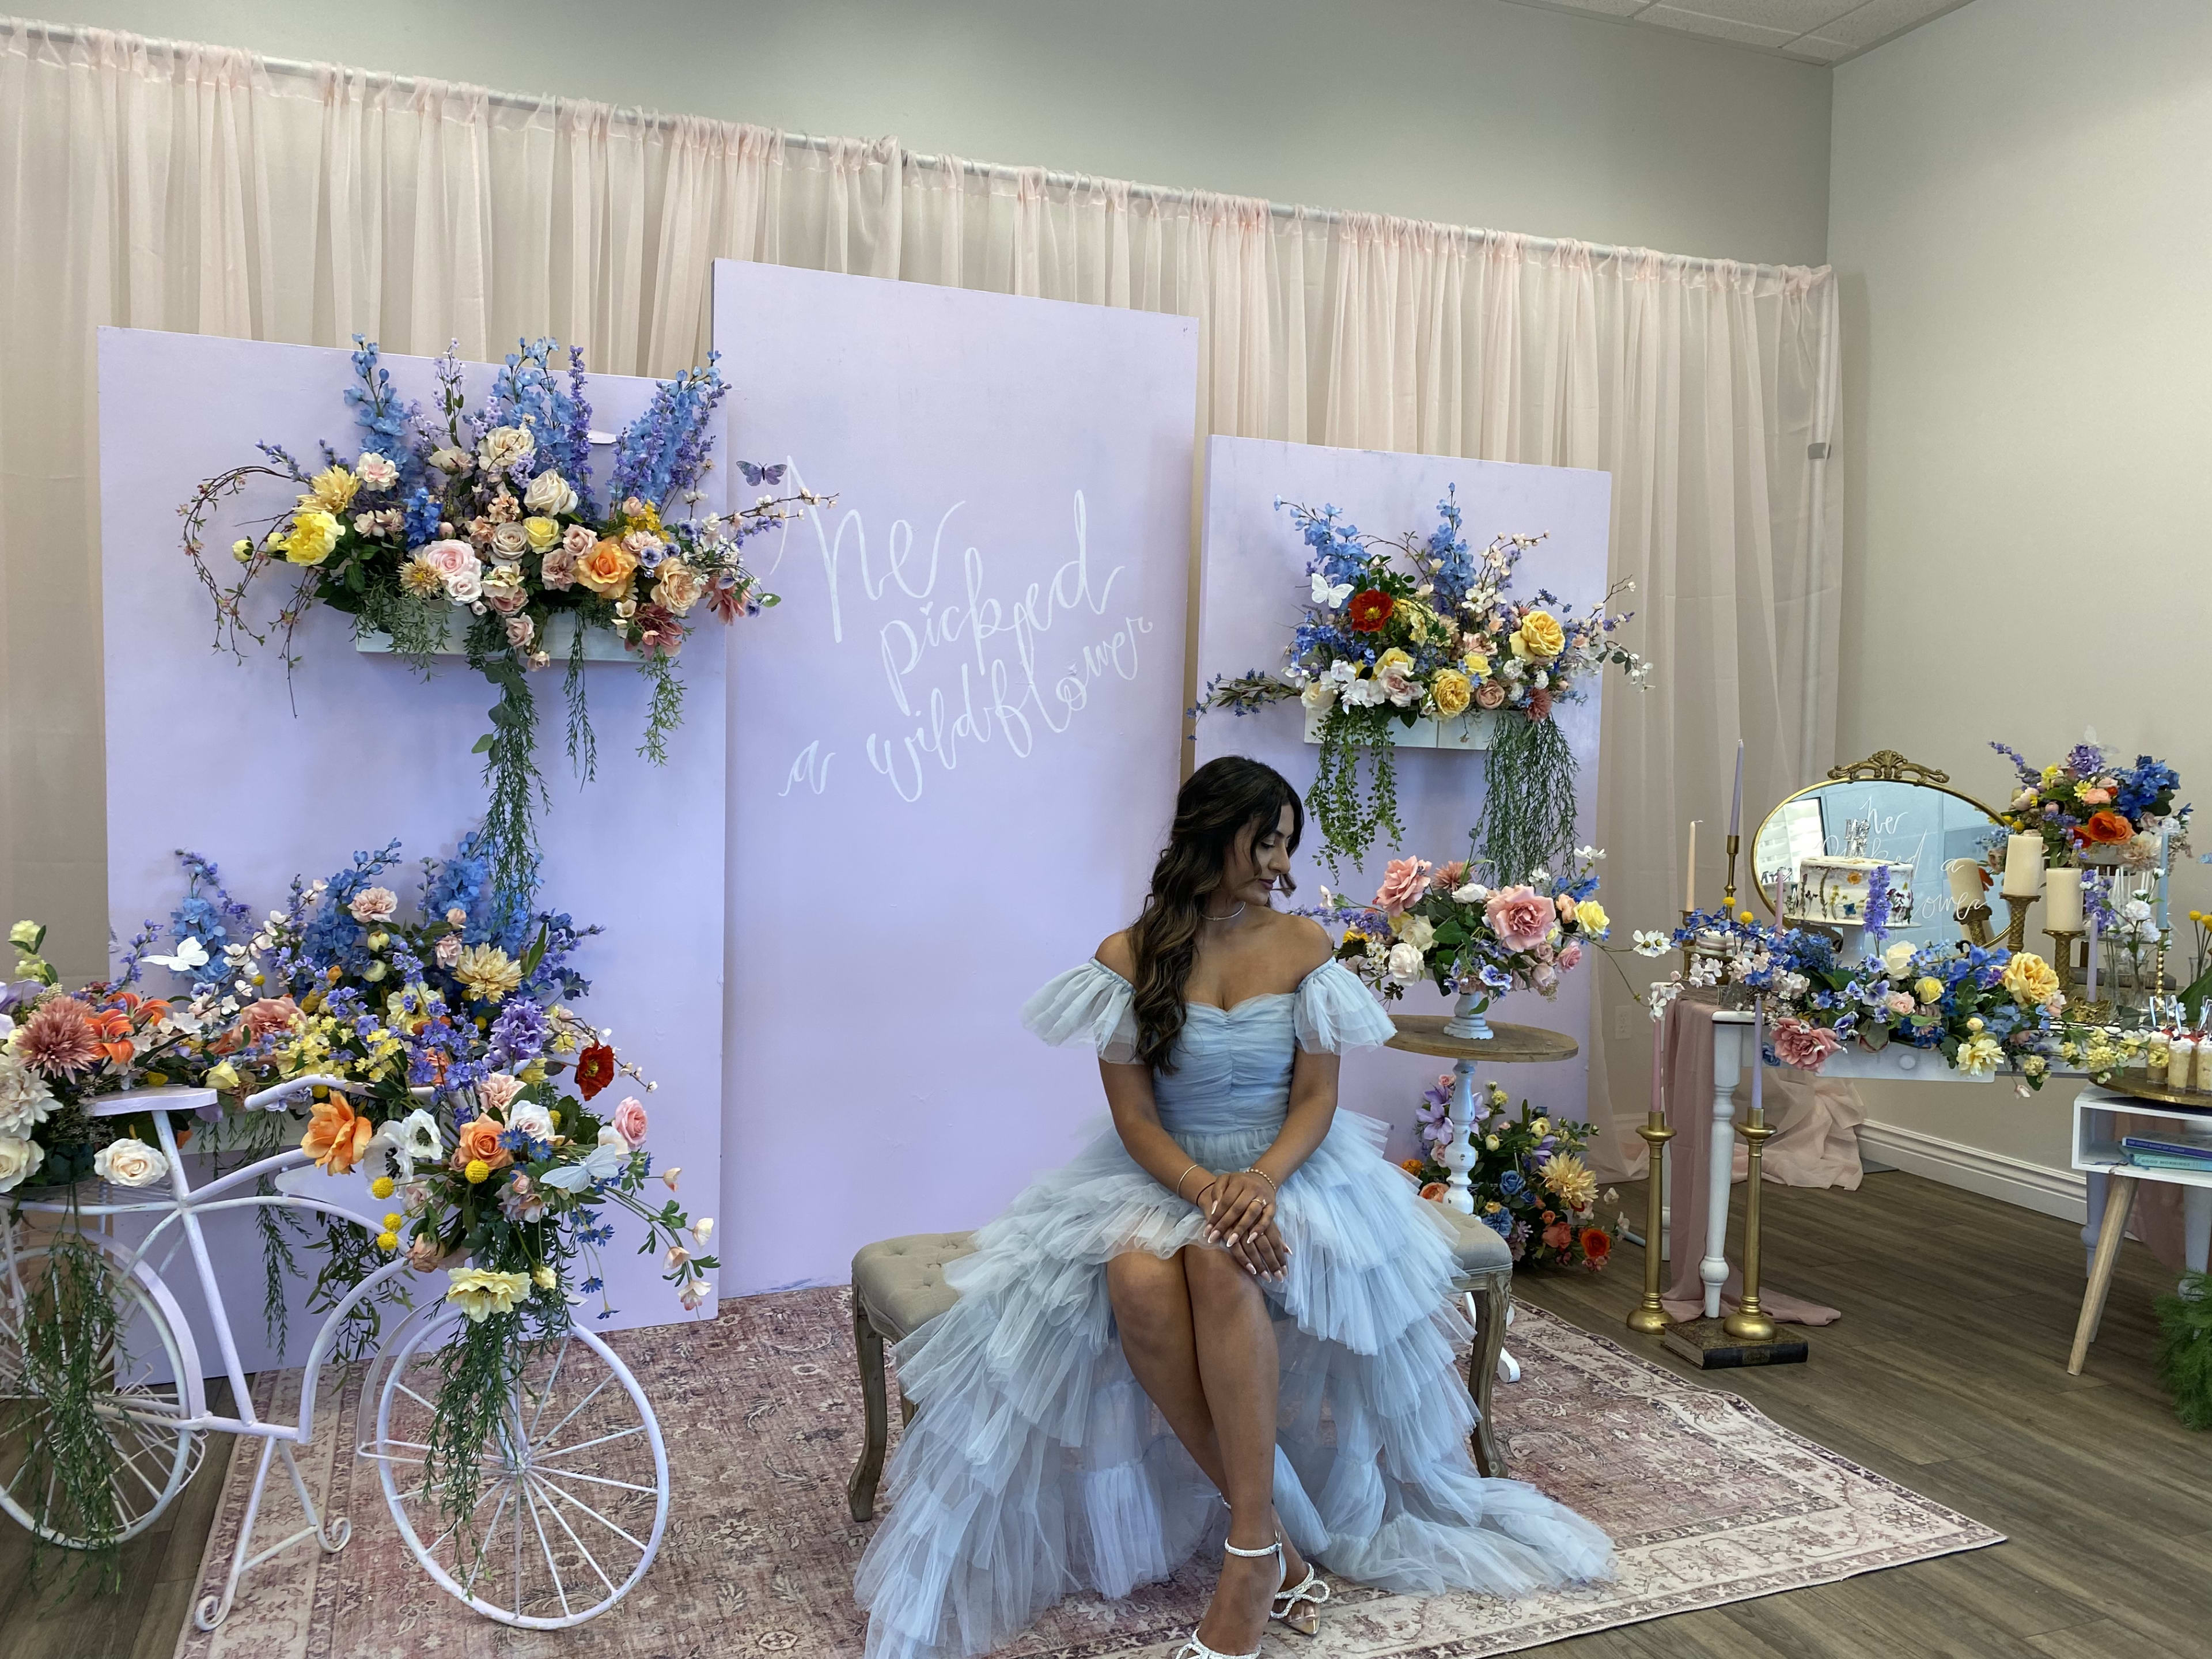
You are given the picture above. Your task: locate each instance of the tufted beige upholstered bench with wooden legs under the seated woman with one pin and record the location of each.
(899, 1286)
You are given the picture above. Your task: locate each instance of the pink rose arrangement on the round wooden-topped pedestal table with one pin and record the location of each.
(1441, 924)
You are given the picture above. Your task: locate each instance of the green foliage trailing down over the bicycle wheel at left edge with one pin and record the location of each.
(70, 1339)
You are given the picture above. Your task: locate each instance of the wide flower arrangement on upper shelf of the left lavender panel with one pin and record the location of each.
(488, 525)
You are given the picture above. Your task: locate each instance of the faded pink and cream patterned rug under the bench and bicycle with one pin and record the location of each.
(1704, 1496)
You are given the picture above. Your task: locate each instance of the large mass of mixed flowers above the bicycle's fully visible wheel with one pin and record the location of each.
(479, 1109)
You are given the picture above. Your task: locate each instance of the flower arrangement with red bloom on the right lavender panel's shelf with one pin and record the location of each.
(1410, 629)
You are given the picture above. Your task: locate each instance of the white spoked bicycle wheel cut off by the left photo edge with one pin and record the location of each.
(138, 1410)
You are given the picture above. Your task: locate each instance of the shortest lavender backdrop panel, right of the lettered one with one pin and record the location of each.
(1253, 589)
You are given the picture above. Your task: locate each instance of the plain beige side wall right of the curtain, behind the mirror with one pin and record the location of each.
(2021, 216)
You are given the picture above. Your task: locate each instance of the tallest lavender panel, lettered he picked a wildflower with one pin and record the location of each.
(952, 747)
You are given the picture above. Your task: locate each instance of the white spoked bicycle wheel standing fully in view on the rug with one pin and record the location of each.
(574, 1488)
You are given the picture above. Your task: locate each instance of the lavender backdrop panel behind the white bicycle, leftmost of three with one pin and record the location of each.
(275, 780)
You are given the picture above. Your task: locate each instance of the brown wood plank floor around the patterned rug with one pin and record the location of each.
(1948, 1373)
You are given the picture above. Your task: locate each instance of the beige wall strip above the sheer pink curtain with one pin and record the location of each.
(1470, 112)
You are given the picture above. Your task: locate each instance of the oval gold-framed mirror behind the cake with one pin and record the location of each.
(1817, 853)
